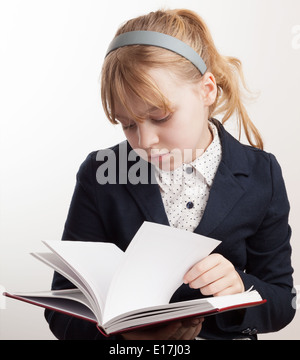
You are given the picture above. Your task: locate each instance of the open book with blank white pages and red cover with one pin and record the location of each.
(121, 291)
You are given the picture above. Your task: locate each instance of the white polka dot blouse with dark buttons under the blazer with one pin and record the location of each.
(185, 190)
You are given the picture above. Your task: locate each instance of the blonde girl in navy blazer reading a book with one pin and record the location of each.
(163, 80)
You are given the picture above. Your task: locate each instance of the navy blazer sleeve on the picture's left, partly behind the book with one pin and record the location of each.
(83, 223)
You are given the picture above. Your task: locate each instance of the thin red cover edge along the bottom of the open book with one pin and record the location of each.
(156, 323)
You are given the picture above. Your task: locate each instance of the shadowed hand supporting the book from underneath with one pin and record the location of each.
(178, 330)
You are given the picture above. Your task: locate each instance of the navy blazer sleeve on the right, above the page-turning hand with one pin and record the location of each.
(269, 267)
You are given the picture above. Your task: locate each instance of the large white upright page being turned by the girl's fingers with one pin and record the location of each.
(153, 267)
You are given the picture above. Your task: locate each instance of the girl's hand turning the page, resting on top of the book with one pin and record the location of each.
(215, 276)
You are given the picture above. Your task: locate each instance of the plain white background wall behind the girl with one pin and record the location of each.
(51, 54)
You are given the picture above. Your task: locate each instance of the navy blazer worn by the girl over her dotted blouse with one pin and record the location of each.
(247, 210)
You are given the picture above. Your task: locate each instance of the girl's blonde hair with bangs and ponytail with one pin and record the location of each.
(124, 70)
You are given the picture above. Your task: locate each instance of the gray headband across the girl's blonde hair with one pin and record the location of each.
(153, 38)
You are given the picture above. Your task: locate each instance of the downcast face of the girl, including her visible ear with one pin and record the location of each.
(169, 139)
